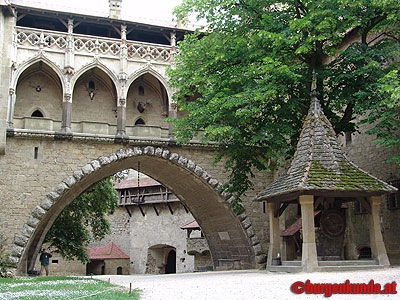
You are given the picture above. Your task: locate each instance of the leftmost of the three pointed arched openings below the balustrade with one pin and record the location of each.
(38, 86)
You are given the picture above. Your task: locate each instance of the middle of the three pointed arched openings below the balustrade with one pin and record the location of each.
(94, 103)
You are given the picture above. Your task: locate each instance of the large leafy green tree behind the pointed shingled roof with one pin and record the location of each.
(245, 77)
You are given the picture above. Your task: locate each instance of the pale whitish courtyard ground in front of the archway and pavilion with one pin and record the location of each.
(252, 285)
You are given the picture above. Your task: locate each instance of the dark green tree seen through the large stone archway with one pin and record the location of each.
(83, 220)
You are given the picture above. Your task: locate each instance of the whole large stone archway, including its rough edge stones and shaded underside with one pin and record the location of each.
(230, 237)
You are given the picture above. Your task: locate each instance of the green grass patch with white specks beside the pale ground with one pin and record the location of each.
(60, 288)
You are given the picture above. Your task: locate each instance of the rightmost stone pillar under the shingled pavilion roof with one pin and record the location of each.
(376, 240)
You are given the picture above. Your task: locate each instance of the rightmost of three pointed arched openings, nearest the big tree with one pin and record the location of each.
(147, 97)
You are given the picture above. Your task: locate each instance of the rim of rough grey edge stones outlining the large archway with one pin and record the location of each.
(21, 240)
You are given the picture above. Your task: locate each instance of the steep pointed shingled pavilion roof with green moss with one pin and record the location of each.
(319, 164)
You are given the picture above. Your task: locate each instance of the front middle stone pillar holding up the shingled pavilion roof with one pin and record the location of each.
(309, 260)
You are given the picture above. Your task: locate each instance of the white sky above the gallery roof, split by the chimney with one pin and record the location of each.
(149, 9)
